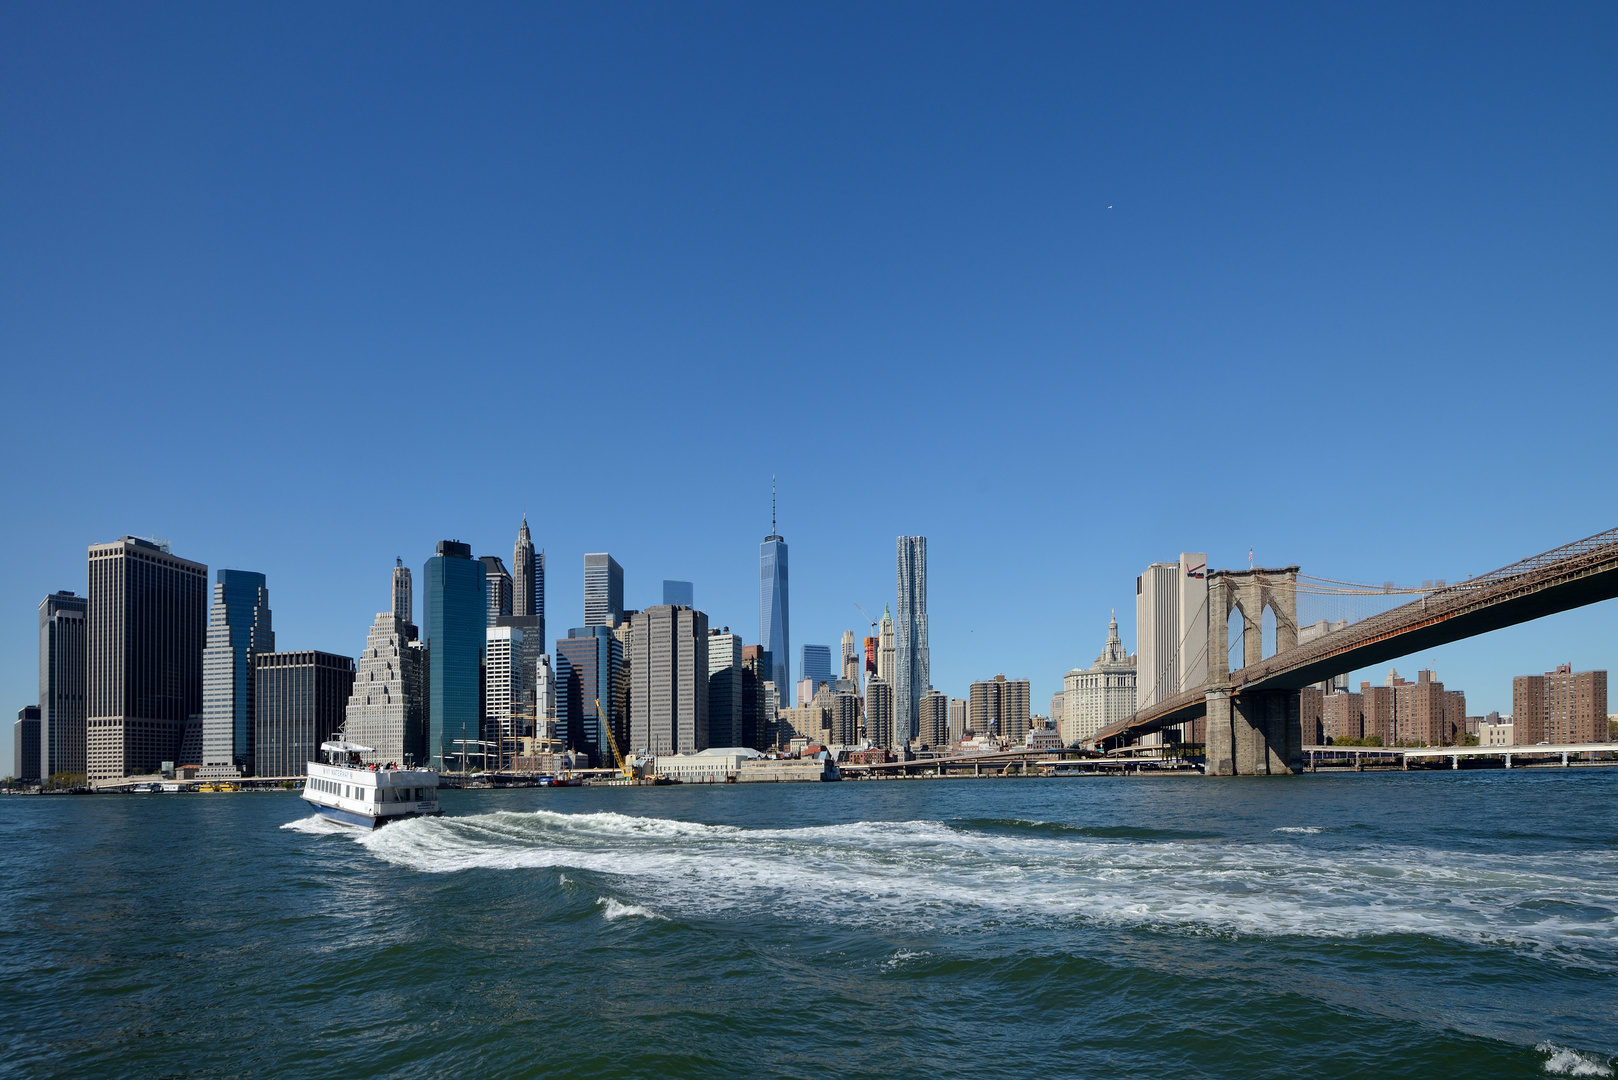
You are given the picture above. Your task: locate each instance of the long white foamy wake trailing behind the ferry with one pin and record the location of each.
(938, 877)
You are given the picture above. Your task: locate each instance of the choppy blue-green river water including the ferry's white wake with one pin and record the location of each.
(1329, 925)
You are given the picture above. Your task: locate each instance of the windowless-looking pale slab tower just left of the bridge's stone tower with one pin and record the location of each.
(1172, 627)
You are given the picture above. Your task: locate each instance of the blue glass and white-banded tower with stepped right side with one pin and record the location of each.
(239, 627)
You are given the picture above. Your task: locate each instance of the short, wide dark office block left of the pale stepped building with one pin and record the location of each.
(300, 702)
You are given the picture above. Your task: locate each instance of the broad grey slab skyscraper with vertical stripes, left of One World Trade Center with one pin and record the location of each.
(669, 705)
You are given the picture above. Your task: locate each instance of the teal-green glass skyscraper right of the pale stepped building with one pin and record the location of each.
(457, 616)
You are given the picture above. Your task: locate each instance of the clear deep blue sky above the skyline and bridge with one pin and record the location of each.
(1065, 289)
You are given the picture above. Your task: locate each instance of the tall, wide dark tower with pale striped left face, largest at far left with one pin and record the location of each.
(146, 626)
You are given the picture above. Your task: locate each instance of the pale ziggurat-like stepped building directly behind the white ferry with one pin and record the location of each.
(388, 708)
